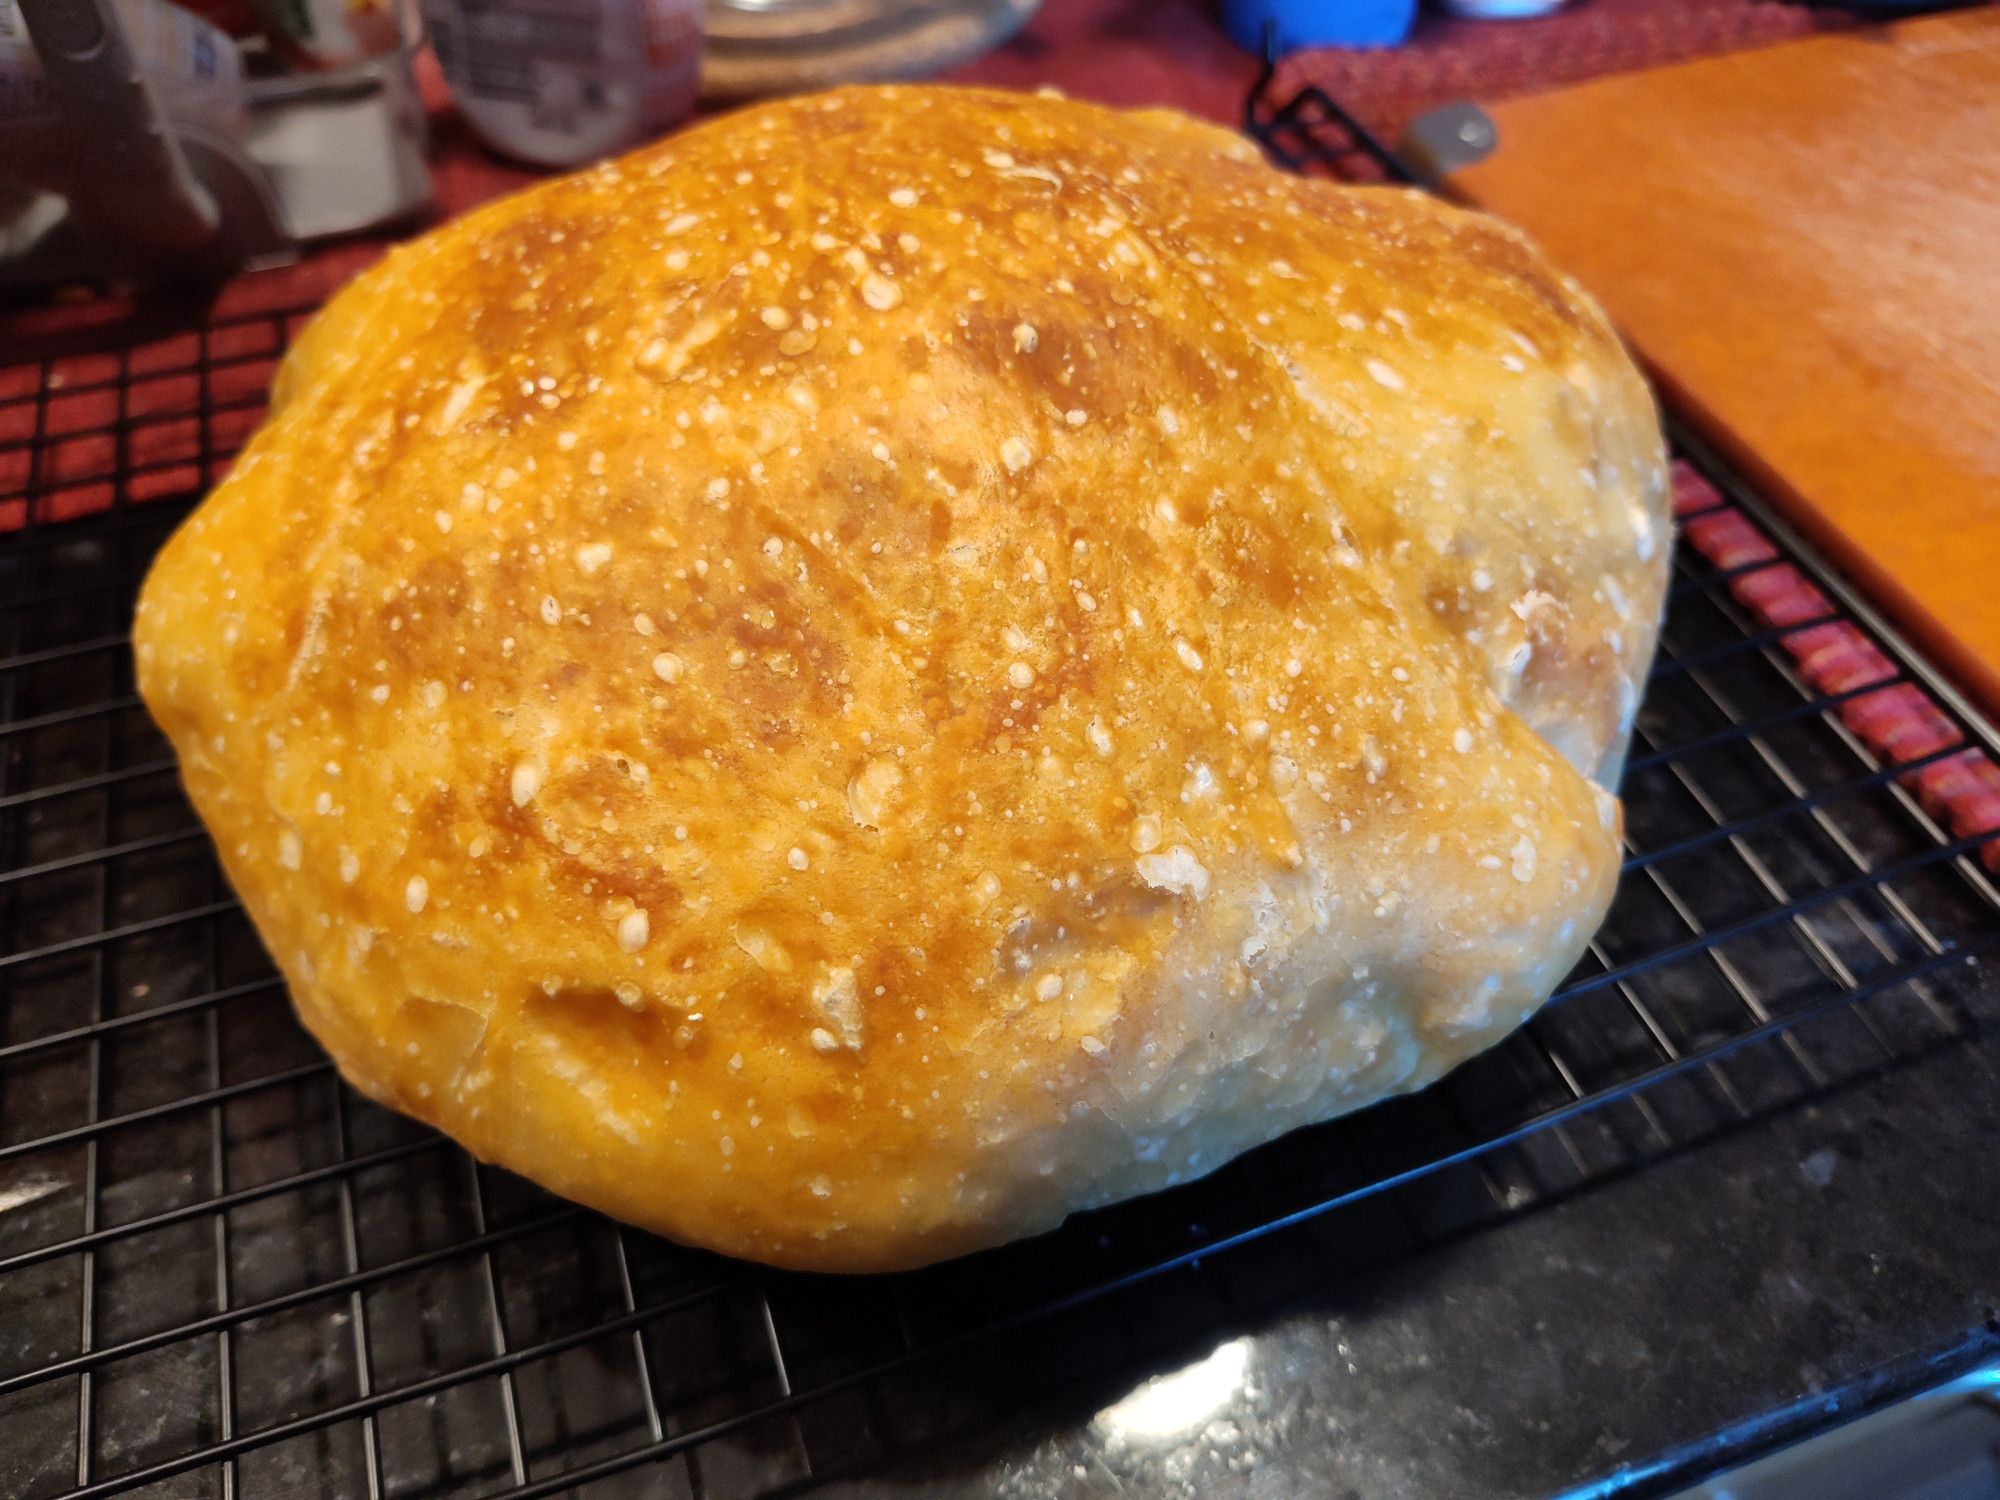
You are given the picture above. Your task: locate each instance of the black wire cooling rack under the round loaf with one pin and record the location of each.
(225, 1275)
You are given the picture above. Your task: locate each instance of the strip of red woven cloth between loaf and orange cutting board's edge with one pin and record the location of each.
(1899, 721)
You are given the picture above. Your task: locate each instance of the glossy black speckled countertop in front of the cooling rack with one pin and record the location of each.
(1773, 1265)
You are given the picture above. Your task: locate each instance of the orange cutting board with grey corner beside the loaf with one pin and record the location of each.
(1805, 247)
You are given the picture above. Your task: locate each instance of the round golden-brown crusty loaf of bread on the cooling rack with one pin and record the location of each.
(907, 663)
